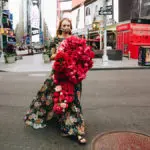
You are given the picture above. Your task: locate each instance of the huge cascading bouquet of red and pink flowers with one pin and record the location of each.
(73, 60)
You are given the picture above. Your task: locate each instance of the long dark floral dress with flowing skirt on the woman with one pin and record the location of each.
(71, 122)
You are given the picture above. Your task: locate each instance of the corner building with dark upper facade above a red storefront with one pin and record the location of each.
(134, 27)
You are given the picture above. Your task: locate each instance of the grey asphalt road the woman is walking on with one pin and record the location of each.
(111, 101)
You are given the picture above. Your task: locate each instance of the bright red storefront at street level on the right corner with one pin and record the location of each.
(131, 36)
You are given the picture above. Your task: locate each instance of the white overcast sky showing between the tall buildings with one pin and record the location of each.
(49, 11)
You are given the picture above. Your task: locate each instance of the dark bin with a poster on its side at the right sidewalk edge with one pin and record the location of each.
(144, 56)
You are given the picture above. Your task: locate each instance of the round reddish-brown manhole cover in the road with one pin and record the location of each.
(121, 141)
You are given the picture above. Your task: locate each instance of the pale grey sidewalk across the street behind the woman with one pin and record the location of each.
(35, 63)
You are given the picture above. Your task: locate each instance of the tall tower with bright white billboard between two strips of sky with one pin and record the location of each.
(30, 26)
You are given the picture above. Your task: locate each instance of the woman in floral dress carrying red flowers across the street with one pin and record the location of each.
(42, 107)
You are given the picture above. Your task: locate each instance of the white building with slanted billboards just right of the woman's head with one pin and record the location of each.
(86, 18)
